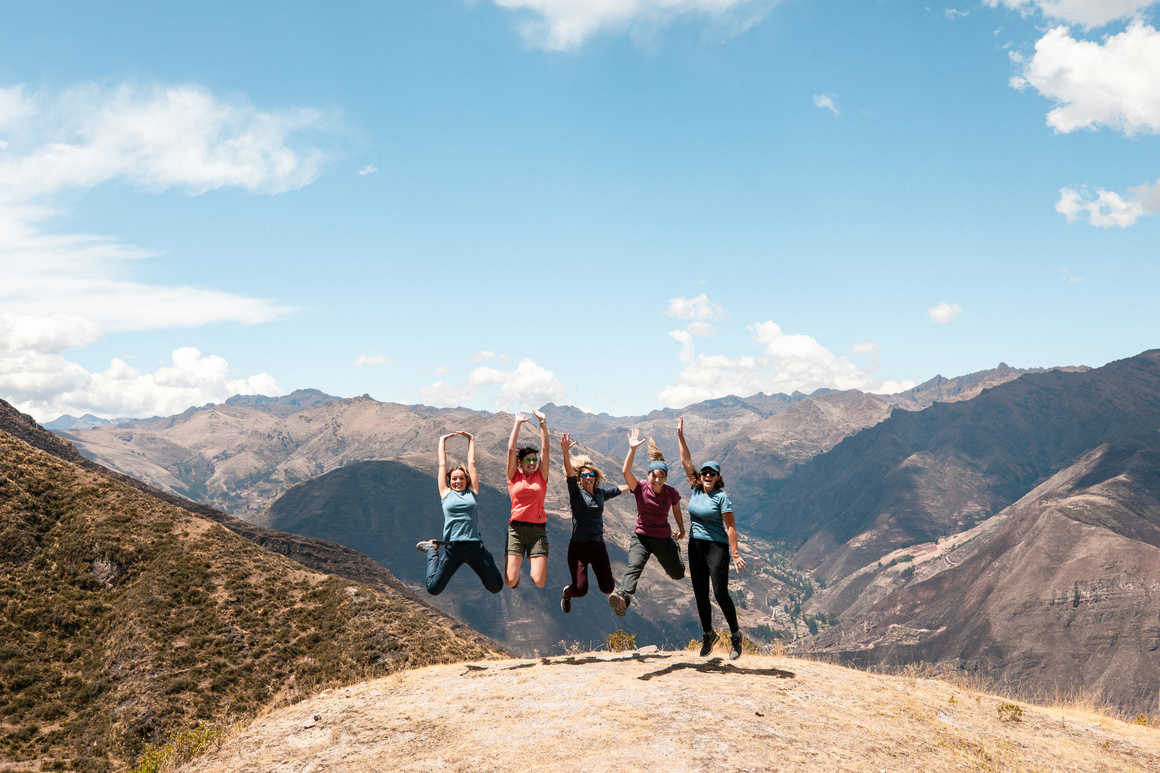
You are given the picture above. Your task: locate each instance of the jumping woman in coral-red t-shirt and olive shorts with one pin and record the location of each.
(527, 476)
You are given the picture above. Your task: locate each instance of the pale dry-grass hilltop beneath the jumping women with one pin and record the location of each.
(677, 712)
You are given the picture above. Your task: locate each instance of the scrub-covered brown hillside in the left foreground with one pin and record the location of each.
(126, 618)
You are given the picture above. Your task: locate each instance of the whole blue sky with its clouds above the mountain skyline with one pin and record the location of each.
(619, 206)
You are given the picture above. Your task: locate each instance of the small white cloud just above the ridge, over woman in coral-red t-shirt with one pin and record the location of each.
(526, 387)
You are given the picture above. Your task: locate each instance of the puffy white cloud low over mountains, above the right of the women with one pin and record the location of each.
(784, 364)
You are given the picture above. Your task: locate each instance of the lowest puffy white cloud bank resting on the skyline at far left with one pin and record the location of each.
(48, 386)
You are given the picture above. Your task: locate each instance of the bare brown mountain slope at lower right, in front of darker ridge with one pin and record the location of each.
(1061, 591)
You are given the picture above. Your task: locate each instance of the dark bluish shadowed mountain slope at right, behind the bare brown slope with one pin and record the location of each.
(923, 475)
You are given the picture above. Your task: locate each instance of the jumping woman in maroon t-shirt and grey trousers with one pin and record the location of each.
(652, 536)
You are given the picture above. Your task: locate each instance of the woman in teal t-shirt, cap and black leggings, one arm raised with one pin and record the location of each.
(713, 541)
